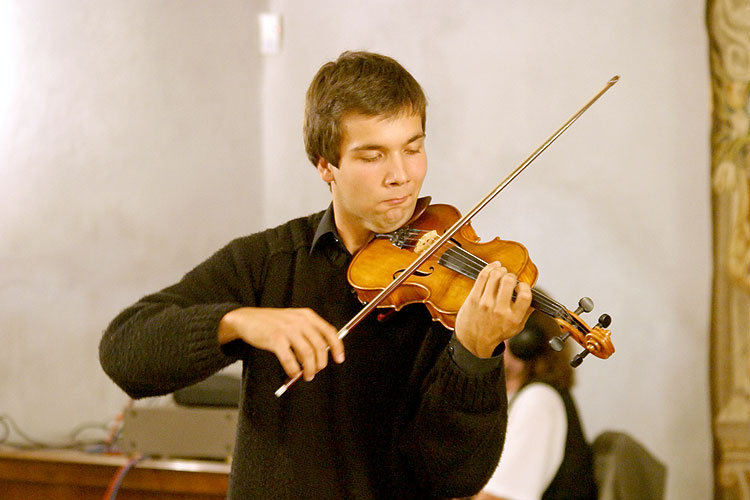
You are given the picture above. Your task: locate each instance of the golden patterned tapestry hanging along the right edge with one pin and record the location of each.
(728, 23)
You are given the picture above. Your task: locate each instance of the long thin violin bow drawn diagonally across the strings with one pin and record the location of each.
(450, 232)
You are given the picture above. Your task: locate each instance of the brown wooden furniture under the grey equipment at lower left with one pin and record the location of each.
(72, 475)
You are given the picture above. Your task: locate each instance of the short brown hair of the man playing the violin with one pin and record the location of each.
(357, 82)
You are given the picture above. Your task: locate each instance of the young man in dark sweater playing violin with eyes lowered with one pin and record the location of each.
(416, 411)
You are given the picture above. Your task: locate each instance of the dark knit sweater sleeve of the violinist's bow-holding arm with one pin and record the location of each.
(169, 340)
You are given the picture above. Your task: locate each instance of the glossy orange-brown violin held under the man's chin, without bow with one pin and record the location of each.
(443, 281)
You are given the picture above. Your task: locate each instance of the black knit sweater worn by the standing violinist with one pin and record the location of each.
(401, 418)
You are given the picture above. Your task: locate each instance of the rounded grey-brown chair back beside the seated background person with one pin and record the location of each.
(625, 470)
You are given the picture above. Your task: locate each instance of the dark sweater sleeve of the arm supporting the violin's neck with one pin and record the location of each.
(454, 440)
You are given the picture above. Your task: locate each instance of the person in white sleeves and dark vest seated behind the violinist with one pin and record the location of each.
(546, 455)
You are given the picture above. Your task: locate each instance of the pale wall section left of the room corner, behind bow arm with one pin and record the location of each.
(129, 151)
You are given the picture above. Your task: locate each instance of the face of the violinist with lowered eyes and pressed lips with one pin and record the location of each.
(377, 182)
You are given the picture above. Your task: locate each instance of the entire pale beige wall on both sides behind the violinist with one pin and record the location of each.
(135, 142)
